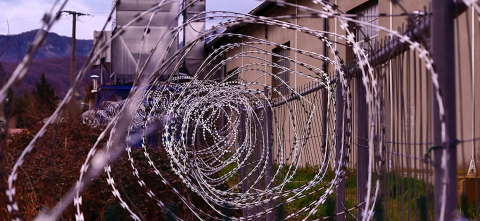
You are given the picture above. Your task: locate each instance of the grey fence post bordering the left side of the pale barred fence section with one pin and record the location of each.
(362, 144)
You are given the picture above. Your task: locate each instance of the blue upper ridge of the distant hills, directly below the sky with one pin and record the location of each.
(56, 46)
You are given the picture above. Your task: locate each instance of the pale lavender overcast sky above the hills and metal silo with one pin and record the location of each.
(25, 15)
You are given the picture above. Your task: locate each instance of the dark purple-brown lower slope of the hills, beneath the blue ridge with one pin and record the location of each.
(57, 72)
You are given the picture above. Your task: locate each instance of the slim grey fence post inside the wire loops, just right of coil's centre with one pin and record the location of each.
(267, 133)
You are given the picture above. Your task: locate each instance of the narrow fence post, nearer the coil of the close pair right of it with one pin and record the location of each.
(339, 136)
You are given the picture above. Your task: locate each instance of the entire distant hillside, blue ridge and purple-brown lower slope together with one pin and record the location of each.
(53, 59)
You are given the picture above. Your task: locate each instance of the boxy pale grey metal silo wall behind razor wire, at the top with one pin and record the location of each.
(132, 48)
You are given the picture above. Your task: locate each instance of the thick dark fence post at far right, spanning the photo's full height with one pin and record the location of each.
(443, 53)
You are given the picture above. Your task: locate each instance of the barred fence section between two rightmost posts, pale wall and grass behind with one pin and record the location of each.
(406, 174)
